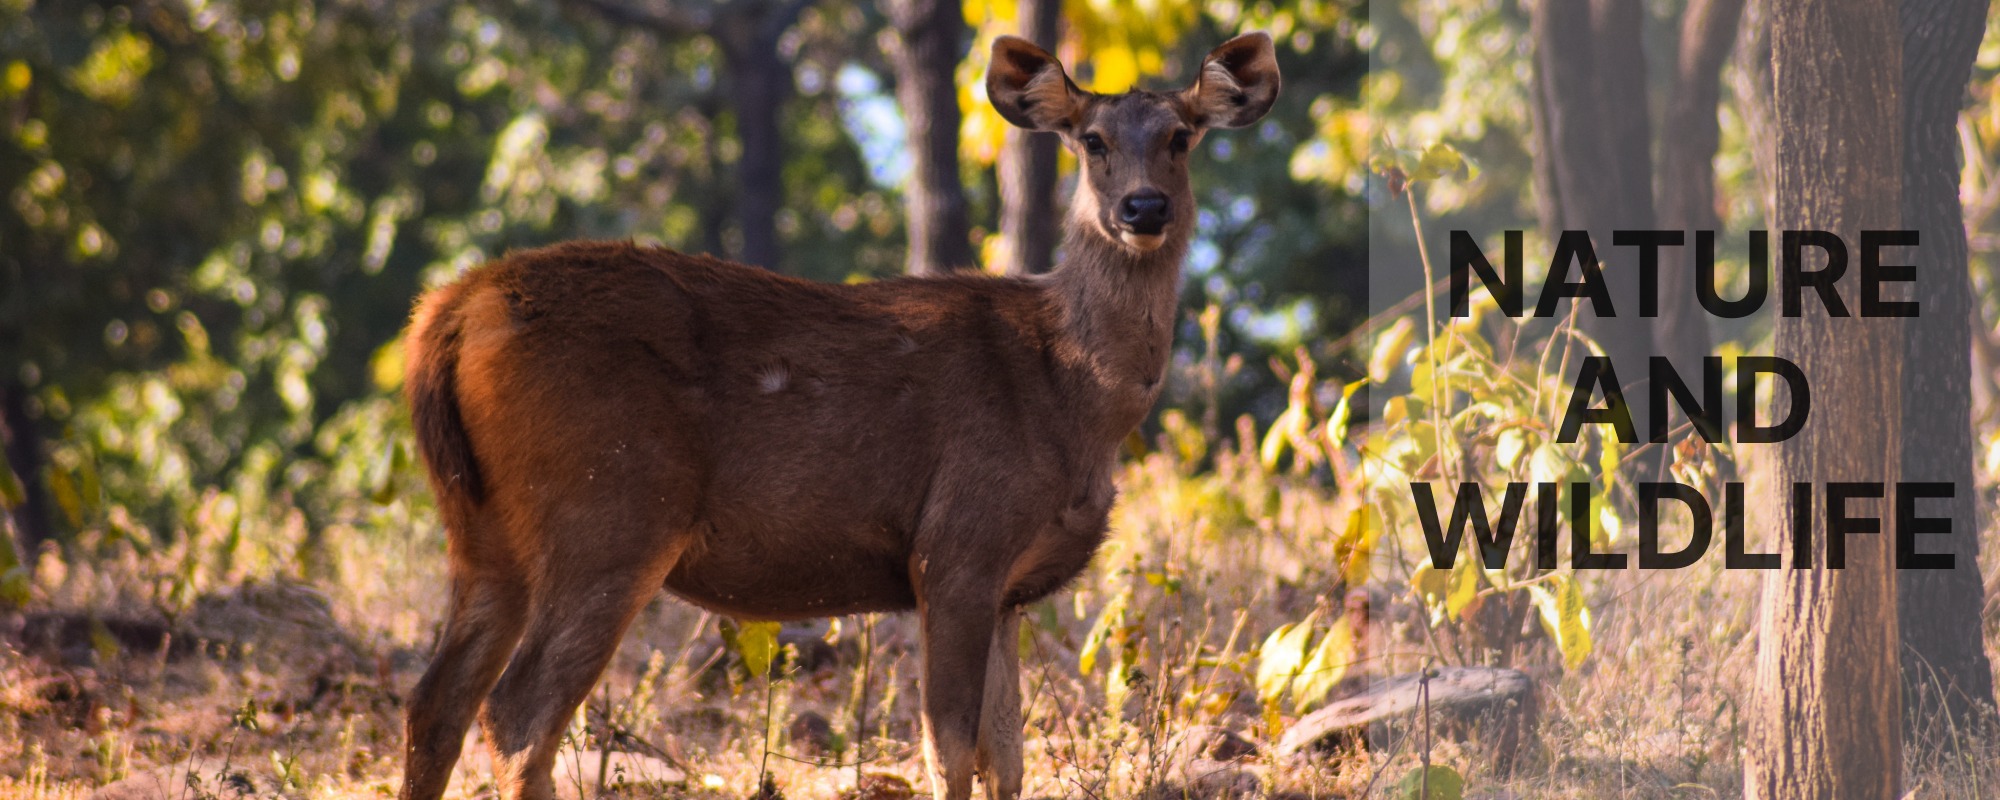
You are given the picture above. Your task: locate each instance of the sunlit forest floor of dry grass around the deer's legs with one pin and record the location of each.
(289, 687)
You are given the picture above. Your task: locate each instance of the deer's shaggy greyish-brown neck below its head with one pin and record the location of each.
(1117, 311)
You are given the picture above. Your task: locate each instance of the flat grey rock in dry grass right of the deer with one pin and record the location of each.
(1491, 705)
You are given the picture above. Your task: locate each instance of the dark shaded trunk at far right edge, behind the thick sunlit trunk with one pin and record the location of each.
(1945, 667)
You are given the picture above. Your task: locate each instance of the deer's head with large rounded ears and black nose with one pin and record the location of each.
(1135, 147)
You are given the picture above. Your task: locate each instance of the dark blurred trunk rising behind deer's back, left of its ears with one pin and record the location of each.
(931, 37)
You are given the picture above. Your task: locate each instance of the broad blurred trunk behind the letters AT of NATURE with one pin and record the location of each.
(1595, 161)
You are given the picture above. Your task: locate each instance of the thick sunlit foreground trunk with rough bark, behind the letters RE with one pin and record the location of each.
(1827, 713)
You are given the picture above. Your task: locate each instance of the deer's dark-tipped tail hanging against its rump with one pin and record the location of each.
(431, 385)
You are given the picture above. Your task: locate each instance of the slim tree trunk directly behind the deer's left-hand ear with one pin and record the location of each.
(1029, 221)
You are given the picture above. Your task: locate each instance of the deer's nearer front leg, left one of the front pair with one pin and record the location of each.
(959, 631)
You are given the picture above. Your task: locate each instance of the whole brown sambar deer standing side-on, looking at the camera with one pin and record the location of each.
(603, 421)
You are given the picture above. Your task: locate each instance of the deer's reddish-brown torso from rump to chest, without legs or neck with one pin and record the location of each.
(787, 437)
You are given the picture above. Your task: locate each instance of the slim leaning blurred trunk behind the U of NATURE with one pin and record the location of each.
(1689, 139)
